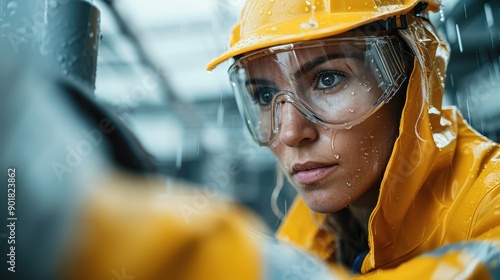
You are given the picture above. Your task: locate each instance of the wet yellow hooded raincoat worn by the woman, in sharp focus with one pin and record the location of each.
(438, 213)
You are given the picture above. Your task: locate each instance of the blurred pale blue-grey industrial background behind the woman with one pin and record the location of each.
(151, 58)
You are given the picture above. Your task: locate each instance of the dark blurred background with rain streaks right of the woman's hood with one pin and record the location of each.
(472, 28)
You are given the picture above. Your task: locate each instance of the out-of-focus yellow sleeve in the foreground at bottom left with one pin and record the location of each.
(126, 230)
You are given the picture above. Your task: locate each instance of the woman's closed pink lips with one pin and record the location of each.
(311, 172)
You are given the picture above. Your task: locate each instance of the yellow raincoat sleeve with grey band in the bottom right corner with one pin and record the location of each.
(477, 257)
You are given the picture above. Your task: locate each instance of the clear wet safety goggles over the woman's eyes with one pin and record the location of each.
(336, 82)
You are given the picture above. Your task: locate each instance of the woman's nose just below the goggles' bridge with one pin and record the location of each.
(294, 128)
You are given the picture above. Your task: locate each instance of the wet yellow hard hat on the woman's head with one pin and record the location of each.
(265, 23)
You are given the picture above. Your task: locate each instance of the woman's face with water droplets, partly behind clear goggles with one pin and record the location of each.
(332, 169)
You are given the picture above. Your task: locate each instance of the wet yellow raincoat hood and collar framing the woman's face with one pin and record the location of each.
(435, 159)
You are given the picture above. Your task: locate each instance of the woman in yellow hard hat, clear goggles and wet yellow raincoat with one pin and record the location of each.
(347, 95)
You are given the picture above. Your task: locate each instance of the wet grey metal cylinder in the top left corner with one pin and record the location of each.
(65, 33)
